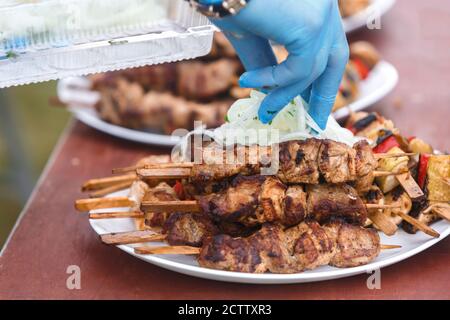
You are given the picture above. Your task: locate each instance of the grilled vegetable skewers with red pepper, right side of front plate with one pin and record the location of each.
(431, 194)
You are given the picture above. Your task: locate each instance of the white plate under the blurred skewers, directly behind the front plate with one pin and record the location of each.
(75, 92)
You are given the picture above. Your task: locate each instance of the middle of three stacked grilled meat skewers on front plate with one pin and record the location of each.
(253, 200)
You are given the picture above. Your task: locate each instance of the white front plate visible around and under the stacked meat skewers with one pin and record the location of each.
(411, 245)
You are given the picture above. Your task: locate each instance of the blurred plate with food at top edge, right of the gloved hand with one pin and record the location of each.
(358, 13)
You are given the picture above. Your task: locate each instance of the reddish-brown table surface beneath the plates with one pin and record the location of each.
(50, 236)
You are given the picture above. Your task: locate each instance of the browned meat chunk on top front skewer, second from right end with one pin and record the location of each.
(337, 162)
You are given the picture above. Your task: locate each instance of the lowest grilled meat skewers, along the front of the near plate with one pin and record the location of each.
(273, 248)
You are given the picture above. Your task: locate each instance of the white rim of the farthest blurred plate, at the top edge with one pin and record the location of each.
(377, 9)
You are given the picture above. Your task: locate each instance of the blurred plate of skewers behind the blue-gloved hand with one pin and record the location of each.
(147, 104)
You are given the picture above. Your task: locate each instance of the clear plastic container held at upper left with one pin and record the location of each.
(52, 39)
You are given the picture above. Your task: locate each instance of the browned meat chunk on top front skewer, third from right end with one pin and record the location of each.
(298, 161)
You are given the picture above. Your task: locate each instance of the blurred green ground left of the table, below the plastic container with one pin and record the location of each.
(29, 129)
